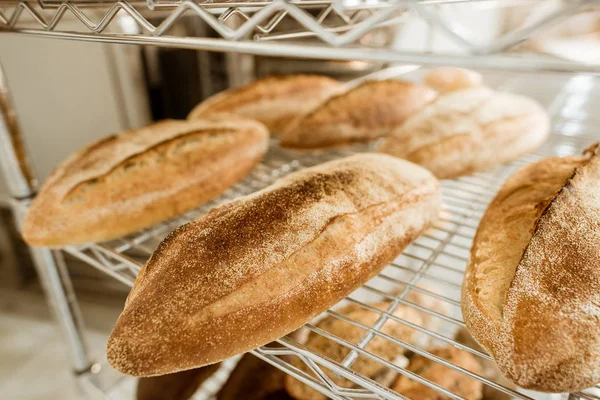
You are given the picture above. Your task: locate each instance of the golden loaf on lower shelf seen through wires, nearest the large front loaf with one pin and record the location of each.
(352, 334)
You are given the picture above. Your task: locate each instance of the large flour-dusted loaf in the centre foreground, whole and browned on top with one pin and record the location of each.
(259, 267)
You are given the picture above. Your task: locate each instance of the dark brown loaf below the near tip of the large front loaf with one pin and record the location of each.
(178, 386)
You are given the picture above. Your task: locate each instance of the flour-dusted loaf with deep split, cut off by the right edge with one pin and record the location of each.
(531, 294)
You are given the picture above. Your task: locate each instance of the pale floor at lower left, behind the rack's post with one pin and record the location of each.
(34, 362)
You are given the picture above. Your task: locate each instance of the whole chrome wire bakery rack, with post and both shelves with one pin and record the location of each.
(320, 29)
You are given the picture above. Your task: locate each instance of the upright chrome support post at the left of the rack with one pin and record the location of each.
(49, 264)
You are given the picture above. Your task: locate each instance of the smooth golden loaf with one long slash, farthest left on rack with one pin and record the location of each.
(132, 180)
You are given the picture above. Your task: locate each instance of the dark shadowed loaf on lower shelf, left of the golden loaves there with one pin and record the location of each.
(254, 379)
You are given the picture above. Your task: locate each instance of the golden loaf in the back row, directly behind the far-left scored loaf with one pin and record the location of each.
(274, 100)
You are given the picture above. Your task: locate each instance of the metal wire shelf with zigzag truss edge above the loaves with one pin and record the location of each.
(336, 29)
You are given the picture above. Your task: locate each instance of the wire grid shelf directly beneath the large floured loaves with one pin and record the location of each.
(431, 267)
